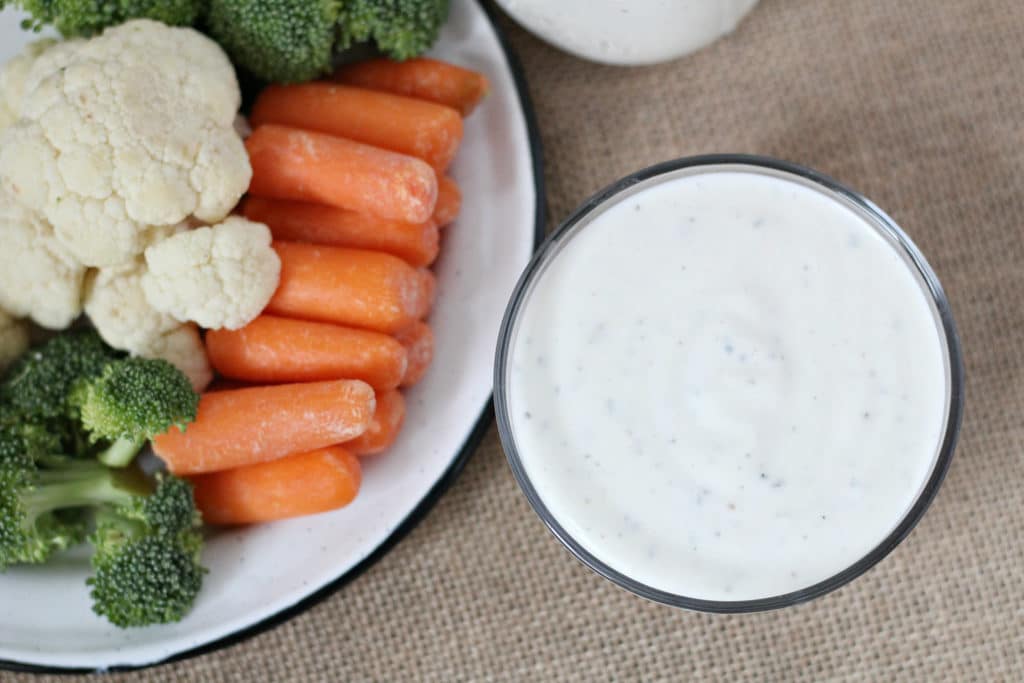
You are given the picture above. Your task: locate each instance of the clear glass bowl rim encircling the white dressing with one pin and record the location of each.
(608, 197)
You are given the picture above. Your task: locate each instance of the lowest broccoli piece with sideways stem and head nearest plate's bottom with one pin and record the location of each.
(147, 543)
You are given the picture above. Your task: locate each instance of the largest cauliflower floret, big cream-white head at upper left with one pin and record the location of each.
(130, 131)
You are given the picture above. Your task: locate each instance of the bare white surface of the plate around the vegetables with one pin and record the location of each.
(263, 575)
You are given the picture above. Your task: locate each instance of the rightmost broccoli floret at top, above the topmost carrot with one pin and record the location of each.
(402, 29)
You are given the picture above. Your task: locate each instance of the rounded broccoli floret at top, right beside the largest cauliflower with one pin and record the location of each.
(285, 41)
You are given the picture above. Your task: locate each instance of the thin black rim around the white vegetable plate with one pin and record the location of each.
(440, 488)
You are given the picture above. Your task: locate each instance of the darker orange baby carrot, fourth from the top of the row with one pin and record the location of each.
(319, 225)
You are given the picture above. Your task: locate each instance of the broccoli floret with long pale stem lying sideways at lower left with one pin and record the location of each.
(47, 510)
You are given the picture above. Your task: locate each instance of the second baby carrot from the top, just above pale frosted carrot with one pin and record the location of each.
(407, 125)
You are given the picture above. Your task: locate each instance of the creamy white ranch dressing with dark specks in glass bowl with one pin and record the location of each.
(729, 387)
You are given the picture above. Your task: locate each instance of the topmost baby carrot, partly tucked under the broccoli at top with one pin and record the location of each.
(429, 79)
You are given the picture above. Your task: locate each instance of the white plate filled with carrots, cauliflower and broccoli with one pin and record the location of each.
(260, 573)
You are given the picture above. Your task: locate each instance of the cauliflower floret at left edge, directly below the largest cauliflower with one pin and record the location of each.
(39, 278)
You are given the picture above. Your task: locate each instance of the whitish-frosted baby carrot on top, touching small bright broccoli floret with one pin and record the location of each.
(260, 424)
